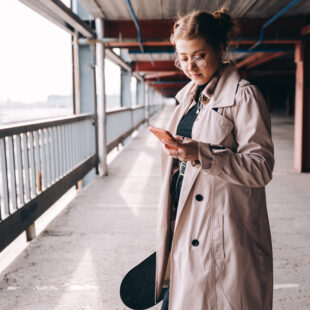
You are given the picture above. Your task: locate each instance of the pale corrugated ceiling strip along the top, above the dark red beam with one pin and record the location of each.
(168, 9)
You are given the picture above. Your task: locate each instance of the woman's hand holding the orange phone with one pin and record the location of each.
(187, 149)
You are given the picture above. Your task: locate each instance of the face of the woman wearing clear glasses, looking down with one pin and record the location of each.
(198, 59)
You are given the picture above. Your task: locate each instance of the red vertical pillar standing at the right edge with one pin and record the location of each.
(302, 108)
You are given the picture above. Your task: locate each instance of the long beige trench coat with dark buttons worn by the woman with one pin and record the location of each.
(231, 268)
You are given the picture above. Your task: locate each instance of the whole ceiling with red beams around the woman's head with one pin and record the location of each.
(155, 19)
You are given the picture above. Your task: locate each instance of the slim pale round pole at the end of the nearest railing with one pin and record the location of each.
(101, 101)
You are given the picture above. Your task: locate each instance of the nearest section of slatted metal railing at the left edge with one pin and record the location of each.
(39, 162)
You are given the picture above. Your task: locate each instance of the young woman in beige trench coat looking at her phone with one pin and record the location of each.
(213, 243)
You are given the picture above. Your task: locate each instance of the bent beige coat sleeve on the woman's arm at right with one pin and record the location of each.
(253, 162)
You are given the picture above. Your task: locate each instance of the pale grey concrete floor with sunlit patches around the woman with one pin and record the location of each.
(79, 260)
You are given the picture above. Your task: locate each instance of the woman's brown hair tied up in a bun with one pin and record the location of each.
(215, 28)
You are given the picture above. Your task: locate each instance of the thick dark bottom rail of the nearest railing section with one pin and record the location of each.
(20, 220)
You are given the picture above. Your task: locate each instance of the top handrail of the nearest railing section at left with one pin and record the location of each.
(31, 126)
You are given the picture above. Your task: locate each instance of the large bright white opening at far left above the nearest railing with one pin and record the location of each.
(35, 66)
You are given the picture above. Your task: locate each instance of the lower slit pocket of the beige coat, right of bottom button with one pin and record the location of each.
(218, 236)
